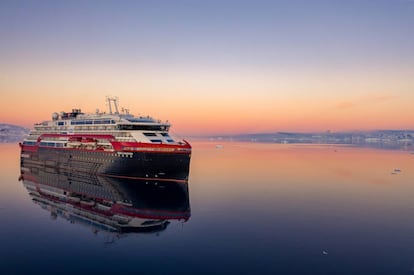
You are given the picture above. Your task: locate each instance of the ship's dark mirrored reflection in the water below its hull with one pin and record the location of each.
(107, 204)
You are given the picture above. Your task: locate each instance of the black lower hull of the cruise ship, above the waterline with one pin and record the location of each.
(138, 165)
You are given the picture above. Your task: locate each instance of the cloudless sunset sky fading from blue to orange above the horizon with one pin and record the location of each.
(212, 67)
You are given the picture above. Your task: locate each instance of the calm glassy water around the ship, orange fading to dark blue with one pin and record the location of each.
(250, 209)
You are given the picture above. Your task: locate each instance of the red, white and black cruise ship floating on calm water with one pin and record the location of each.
(116, 144)
